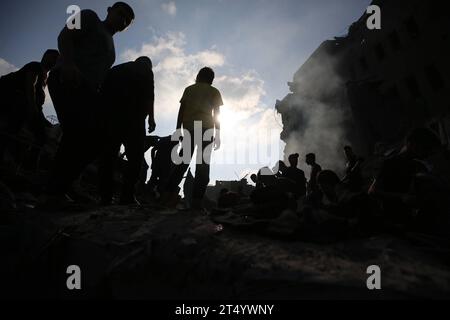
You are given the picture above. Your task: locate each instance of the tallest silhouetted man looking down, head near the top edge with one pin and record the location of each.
(86, 56)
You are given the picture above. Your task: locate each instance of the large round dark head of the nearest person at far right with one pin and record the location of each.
(421, 142)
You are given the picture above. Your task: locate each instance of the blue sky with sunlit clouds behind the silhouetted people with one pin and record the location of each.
(255, 47)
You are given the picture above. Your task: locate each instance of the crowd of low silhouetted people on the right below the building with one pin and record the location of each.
(408, 191)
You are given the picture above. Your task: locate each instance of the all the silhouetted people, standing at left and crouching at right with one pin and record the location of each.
(100, 108)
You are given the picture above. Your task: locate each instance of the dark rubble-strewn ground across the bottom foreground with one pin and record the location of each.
(150, 252)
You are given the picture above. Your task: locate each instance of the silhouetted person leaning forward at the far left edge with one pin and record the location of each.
(23, 98)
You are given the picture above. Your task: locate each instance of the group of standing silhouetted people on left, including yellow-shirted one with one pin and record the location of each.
(100, 108)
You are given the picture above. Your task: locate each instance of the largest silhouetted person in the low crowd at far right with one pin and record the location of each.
(394, 185)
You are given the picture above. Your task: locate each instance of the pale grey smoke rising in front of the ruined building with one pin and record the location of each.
(317, 114)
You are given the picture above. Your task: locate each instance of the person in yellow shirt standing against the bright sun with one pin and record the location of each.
(200, 103)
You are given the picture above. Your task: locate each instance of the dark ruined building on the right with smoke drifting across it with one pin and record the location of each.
(370, 87)
